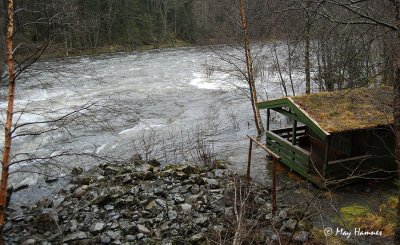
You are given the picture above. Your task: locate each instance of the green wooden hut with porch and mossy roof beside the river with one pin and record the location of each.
(335, 136)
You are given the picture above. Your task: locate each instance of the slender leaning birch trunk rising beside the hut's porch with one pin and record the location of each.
(250, 73)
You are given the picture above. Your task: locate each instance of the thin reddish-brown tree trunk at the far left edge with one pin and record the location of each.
(10, 108)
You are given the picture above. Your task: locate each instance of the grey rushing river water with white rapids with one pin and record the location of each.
(155, 103)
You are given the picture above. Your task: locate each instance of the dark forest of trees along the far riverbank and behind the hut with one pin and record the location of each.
(328, 40)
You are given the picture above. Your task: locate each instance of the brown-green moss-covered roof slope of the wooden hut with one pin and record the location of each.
(347, 110)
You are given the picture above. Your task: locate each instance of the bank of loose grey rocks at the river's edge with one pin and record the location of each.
(144, 203)
